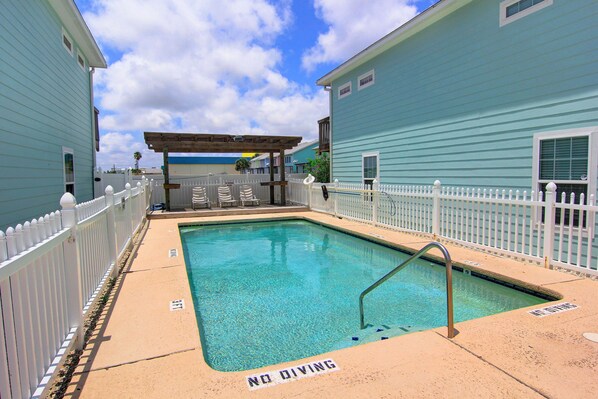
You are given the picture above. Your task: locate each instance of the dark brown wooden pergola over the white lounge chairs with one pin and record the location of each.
(165, 142)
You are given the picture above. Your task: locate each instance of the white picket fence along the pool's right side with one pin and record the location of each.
(531, 226)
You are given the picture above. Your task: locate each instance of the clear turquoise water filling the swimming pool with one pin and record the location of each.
(270, 292)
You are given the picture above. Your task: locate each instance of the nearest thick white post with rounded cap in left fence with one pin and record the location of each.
(72, 265)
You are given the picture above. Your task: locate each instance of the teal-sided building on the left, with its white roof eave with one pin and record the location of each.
(47, 119)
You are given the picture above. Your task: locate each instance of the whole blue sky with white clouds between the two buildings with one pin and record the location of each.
(214, 66)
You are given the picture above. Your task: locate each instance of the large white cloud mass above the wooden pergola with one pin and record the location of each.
(197, 66)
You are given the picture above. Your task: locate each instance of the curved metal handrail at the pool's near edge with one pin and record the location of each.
(449, 283)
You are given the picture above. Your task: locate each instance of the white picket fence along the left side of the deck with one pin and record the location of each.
(51, 272)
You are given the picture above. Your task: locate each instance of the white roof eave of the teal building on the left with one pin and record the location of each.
(73, 21)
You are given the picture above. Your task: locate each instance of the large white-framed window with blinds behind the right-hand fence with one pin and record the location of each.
(569, 159)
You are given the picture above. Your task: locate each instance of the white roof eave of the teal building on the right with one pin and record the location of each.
(421, 21)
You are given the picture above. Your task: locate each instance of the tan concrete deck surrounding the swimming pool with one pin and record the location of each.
(142, 349)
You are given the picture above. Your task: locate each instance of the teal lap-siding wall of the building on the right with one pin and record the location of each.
(461, 100)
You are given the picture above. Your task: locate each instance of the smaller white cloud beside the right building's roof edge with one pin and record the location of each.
(354, 25)
